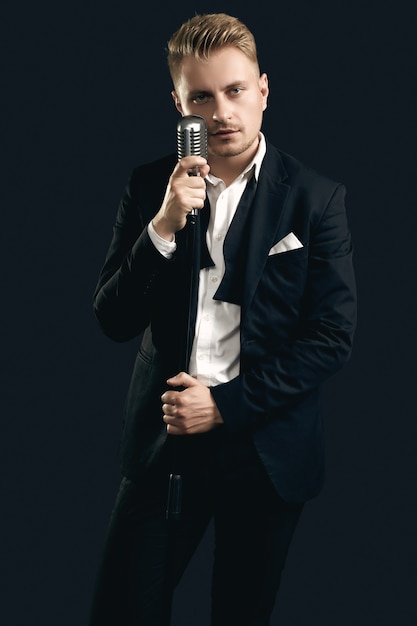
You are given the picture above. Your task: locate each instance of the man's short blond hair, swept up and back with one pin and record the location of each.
(203, 34)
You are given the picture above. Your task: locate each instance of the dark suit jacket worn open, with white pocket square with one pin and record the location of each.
(297, 322)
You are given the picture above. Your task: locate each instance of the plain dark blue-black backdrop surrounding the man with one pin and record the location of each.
(85, 97)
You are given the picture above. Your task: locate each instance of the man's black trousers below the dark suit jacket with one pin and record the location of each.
(145, 555)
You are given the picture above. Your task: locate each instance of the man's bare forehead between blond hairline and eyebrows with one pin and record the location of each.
(224, 67)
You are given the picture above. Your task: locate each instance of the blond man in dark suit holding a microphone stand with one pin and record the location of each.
(272, 318)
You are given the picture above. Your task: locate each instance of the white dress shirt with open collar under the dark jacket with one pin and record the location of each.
(215, 352)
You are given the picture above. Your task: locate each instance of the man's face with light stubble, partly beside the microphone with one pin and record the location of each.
(229, 93)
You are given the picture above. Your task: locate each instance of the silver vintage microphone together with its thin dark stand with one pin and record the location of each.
(191, 141)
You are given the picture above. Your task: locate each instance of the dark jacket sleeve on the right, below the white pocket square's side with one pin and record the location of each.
(273, 380)
